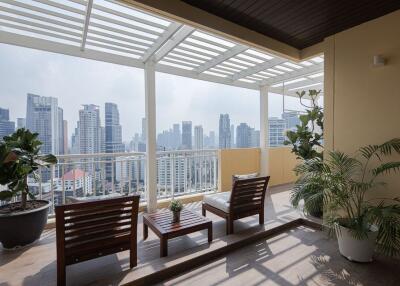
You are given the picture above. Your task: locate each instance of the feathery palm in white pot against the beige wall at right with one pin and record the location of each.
(363, 221)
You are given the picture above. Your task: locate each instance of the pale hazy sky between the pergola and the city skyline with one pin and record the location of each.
(75, 81)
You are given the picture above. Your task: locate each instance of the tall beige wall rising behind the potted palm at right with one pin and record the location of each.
(363, 102)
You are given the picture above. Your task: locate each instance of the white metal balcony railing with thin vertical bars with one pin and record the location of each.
(108, 174)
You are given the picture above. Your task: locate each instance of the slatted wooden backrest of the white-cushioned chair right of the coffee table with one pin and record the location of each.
(248, 194)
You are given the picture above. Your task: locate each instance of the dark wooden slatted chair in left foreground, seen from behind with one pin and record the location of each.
(93, 229)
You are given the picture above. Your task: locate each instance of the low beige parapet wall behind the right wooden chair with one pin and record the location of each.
(245, 161)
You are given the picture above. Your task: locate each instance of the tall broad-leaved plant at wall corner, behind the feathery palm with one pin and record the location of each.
(306, 142)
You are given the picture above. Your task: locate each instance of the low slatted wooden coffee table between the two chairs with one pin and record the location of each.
(161, 224)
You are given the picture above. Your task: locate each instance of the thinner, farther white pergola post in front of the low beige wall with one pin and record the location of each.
(264, 171)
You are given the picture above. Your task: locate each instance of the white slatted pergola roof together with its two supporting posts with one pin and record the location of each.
(110, 31)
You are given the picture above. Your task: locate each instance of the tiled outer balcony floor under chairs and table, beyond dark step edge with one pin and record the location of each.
(36, 265)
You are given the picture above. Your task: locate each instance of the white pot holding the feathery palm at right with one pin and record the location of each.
(354, 249)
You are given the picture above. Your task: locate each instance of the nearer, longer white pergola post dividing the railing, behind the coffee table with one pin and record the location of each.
(151, 146)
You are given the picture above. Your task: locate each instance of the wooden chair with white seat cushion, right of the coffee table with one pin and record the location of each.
(246, 199)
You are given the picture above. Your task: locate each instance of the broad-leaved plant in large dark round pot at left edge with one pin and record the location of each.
(21, 221)
